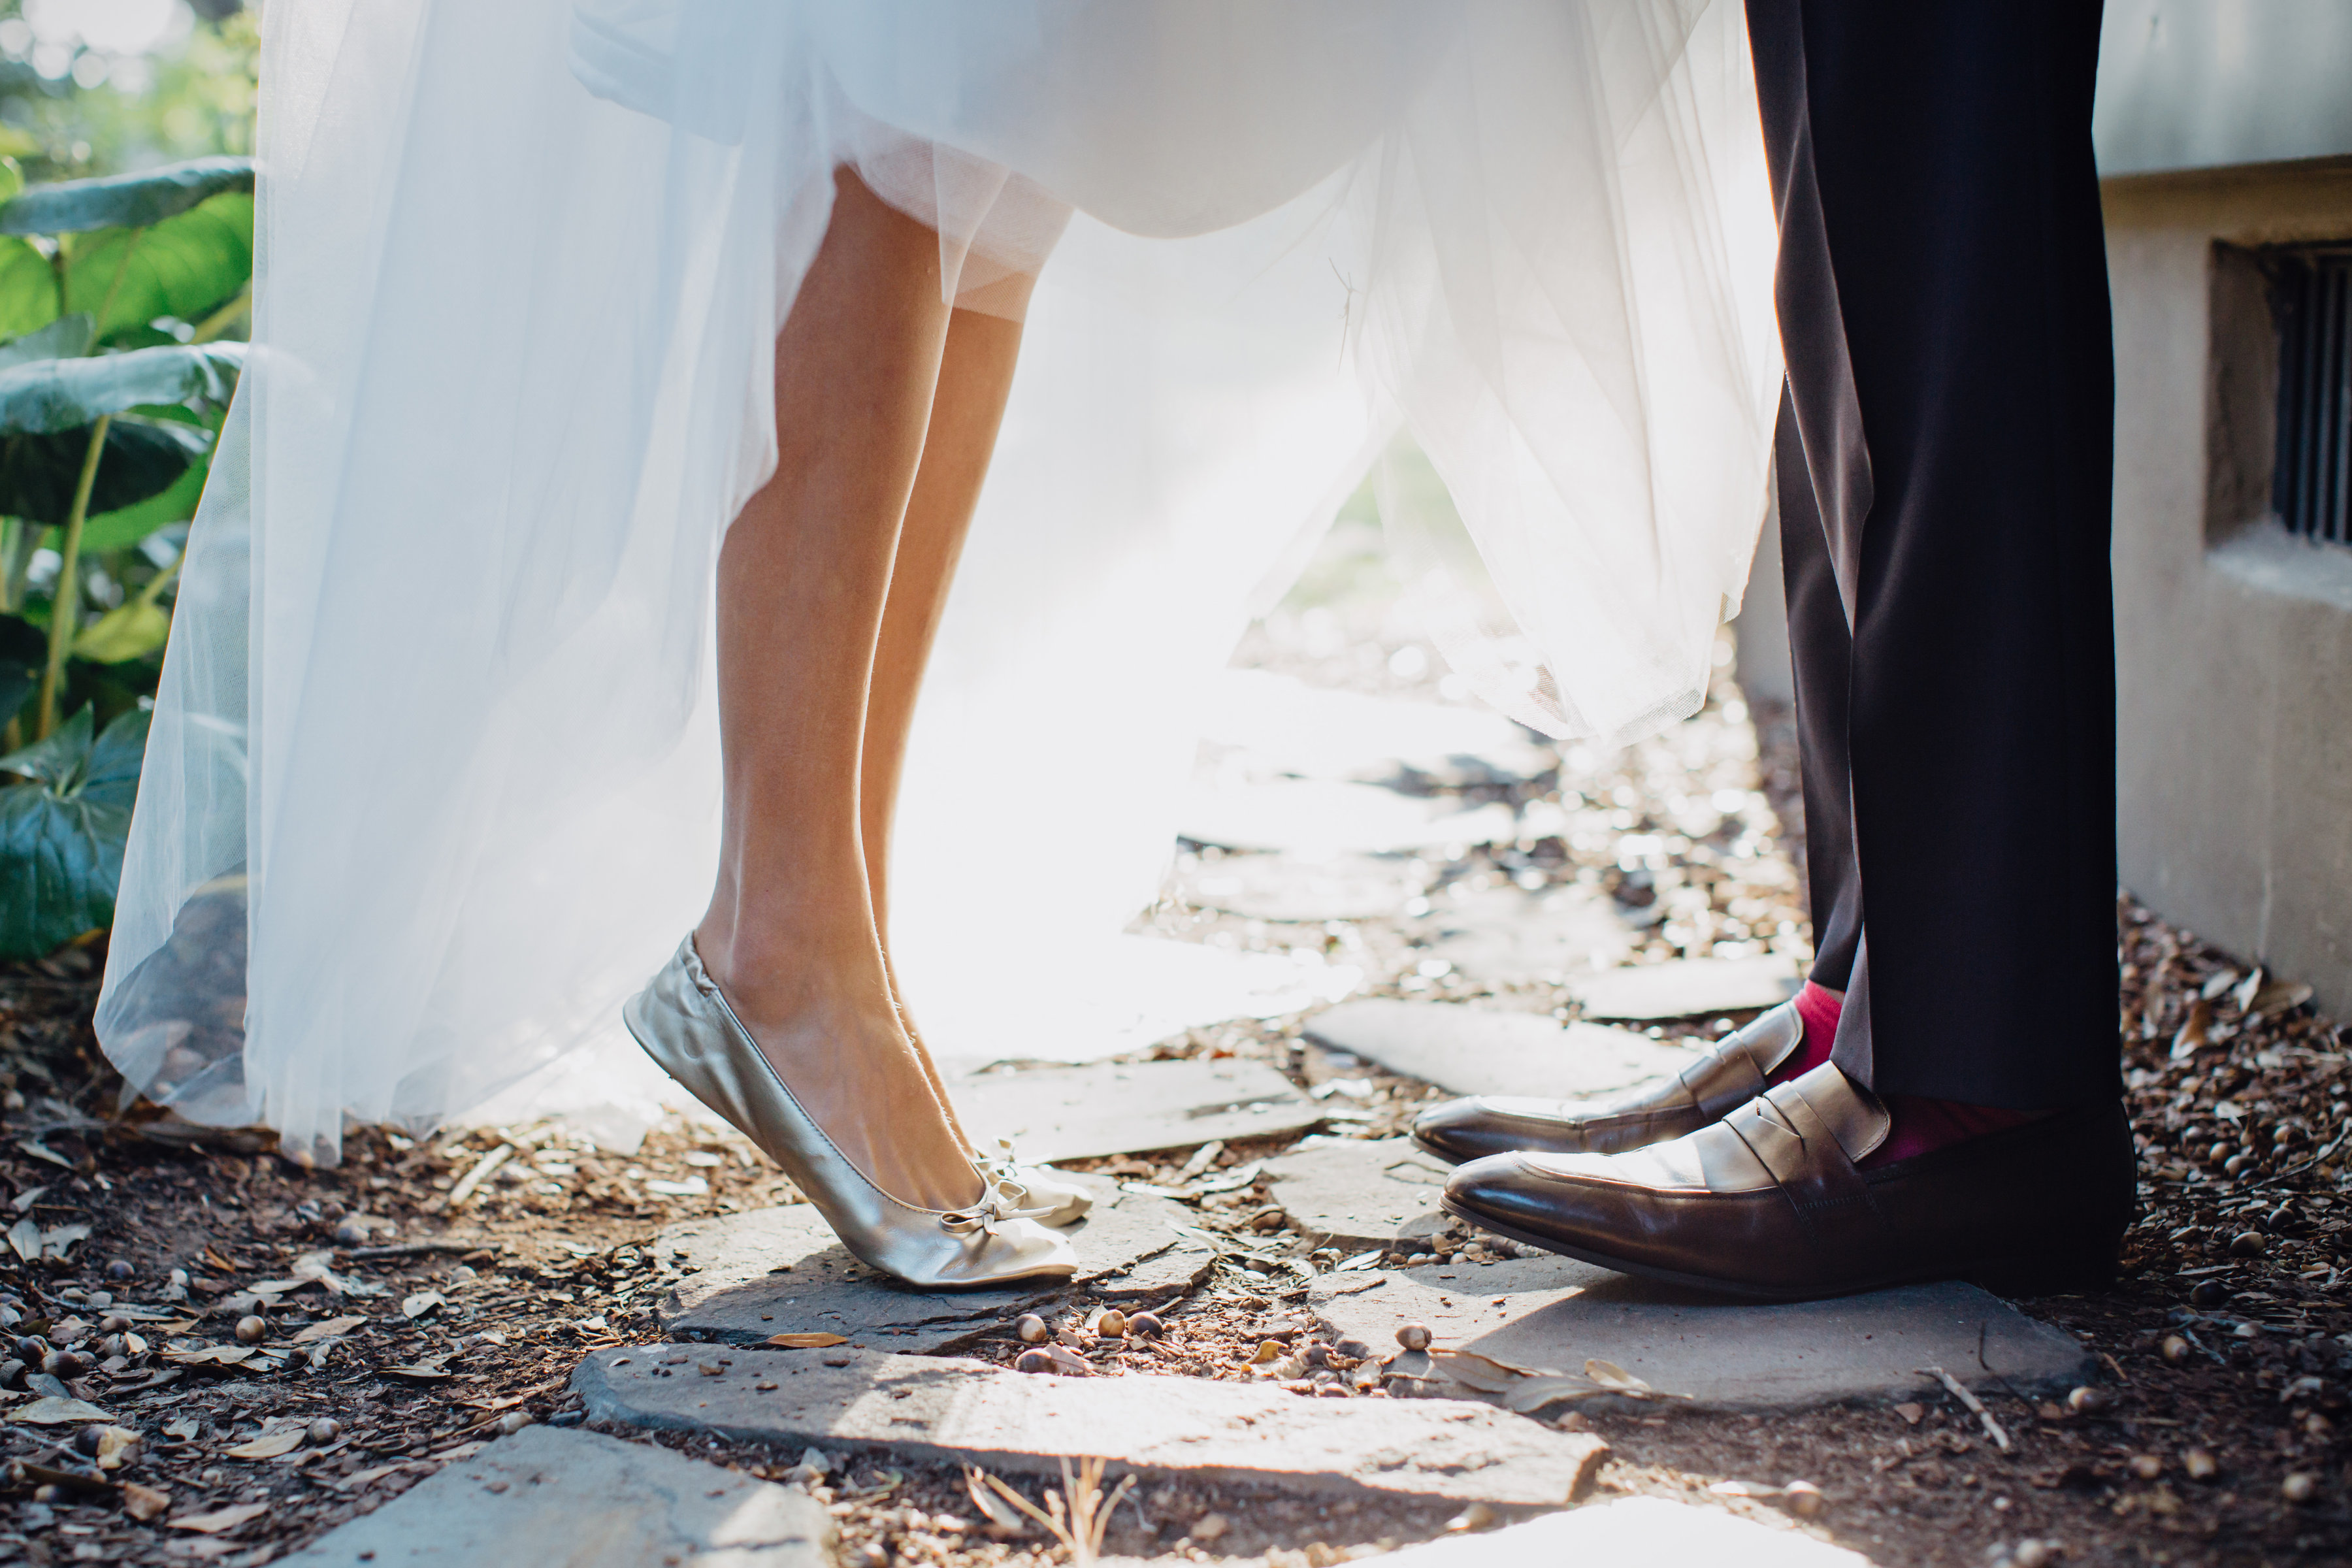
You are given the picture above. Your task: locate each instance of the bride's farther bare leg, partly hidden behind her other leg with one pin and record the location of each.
(975, 380)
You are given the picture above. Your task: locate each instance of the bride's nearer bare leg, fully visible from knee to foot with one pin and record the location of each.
(803, 577)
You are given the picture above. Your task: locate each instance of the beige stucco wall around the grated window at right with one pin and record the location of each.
(2233, 638)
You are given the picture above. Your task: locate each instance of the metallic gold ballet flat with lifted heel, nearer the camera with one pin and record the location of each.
(688, 1028)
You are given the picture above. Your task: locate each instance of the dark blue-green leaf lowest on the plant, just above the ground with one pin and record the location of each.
(62, 833)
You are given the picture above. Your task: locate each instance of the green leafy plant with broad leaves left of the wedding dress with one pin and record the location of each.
(114, 380)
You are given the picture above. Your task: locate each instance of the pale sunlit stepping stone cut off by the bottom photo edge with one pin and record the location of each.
(1648, 1532)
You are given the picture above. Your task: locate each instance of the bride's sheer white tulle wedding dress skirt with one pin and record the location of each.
(434, 770)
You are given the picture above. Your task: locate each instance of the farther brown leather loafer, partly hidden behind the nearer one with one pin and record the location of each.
(1718, 1083)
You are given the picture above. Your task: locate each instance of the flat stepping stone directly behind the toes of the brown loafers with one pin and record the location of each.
(1478, 1052)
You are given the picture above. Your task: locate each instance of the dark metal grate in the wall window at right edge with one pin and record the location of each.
(2313, 483)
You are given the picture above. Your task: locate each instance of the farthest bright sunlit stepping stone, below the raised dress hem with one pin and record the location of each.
(1288, 728)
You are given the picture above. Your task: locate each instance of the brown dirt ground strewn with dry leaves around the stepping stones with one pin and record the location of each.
(295, 1346)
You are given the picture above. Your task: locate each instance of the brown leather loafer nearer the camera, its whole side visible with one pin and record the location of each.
(1770, 1202)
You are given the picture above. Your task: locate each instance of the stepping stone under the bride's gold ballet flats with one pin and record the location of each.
(782, 1271)
